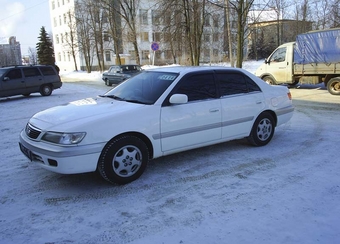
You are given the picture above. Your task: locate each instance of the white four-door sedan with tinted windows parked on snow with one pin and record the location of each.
(156, 113)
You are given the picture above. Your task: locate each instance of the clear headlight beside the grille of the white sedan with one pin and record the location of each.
(64, 138)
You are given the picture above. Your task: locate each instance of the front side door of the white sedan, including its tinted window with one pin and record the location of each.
(196, 122)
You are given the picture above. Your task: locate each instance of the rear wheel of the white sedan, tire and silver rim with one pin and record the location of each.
(263, 130)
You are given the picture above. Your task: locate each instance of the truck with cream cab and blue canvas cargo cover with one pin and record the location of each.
(312, 59)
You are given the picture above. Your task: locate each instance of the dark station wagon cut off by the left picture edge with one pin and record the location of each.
(24, 80)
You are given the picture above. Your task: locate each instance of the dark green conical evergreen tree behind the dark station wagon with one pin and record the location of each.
(45, 51)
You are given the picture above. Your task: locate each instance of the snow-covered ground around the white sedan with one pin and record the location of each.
(285, 192)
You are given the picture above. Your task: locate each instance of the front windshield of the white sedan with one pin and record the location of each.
(145, 87)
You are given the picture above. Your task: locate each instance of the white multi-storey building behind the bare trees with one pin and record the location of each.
(150, 35)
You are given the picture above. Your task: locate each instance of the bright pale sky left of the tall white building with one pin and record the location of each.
(23, 19)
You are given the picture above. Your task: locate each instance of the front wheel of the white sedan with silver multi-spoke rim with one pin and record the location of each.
(123, 160)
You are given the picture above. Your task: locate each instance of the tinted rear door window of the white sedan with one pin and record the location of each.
(232, 83)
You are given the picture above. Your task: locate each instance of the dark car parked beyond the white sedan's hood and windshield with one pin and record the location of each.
(118, 73)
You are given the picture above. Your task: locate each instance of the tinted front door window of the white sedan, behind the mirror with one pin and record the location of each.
(198, 87)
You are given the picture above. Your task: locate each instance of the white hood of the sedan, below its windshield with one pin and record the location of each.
(81, 110)
